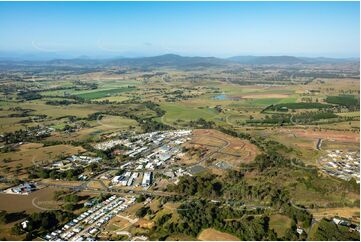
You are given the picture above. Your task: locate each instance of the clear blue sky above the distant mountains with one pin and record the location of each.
(222, 29)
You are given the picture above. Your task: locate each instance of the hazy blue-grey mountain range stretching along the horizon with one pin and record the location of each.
(172, 60)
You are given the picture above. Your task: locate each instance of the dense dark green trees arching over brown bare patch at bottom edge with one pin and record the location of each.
(198, 215)
